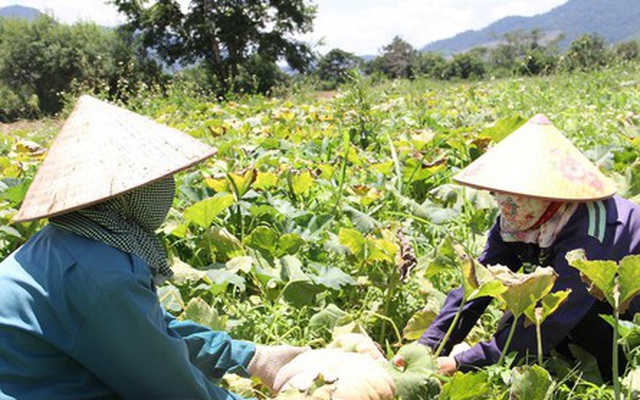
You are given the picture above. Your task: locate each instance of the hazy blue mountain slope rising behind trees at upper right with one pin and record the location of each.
(615, 20)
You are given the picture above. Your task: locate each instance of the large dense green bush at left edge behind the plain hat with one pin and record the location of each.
(41, 59)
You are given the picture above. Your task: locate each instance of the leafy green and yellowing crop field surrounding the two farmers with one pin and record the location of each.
(334, 212)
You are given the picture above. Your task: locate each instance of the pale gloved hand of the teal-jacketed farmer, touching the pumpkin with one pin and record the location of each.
(268, 360)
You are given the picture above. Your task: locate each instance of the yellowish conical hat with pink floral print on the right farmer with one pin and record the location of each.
(537, 160)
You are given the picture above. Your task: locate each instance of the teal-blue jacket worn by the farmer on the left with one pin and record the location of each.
(81, 320)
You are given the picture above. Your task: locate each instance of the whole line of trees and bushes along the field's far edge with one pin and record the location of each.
(226, 47)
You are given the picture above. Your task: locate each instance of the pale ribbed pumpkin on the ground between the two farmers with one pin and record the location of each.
(347, 376)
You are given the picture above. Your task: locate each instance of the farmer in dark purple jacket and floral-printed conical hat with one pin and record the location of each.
(552, 200)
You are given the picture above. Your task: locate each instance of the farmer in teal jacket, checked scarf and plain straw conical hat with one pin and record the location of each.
(79, 315)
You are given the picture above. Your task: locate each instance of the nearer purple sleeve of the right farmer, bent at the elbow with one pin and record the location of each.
(556, 327)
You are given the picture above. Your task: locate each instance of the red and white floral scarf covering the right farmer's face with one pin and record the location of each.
(530, 220)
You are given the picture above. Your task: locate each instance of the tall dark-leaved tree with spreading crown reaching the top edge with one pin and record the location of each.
(223, 33)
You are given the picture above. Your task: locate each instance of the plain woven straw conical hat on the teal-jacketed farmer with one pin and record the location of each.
(101, 151)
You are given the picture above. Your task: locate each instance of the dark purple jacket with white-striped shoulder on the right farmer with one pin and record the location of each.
(606, 230)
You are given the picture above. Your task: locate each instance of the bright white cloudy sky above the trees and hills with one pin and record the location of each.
(362, 27)
